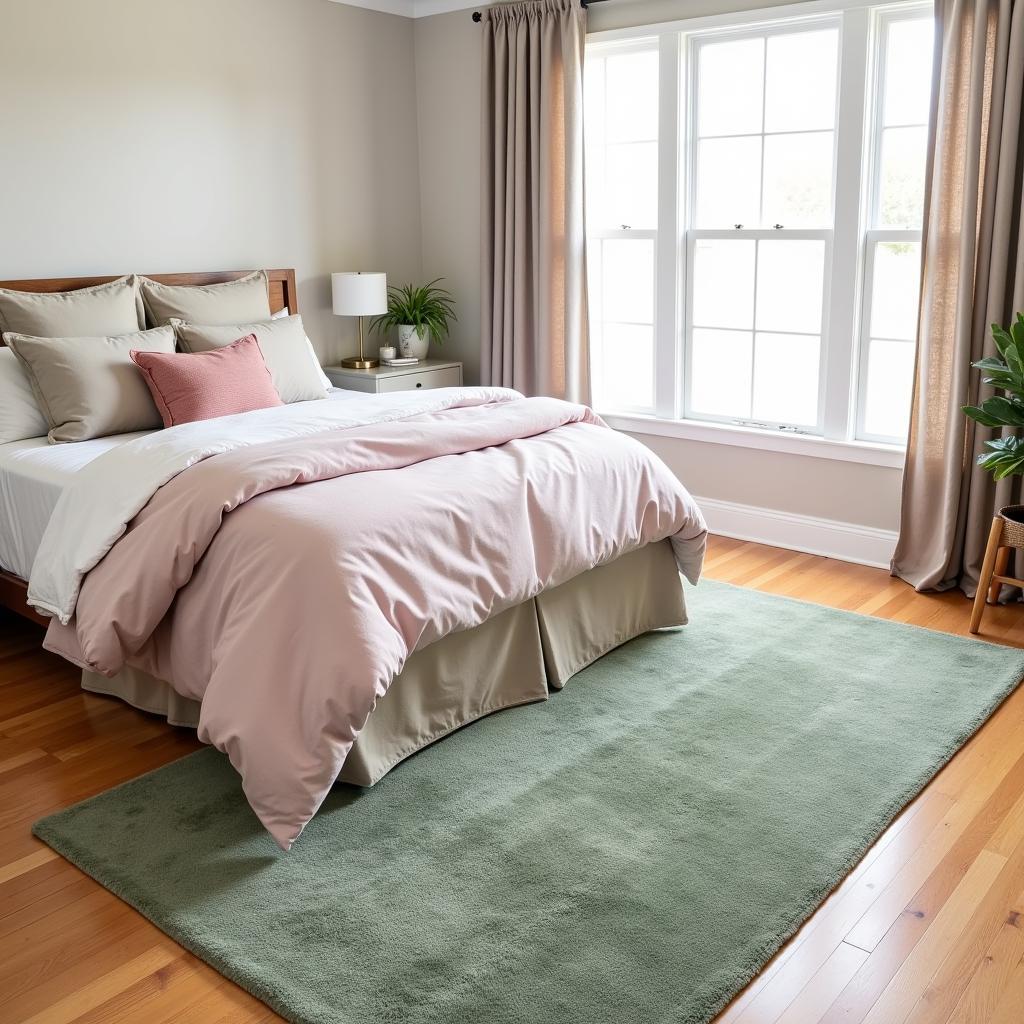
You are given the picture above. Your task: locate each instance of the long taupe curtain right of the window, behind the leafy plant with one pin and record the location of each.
(973, 277)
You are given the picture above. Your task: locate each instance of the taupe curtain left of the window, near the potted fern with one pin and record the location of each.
(534, 331)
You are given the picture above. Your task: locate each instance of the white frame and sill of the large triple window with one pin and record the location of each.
(846, 247)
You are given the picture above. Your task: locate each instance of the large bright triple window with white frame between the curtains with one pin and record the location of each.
(754, 208)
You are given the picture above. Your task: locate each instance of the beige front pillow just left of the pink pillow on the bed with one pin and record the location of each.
(90, 388)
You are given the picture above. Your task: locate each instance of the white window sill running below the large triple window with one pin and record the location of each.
(867, 453)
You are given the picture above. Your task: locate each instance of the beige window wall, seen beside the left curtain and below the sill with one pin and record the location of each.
(448, 76)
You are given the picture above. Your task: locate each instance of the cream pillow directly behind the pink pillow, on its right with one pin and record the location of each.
(289, 357)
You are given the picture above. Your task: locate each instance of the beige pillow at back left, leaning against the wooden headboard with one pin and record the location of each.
(101, 311)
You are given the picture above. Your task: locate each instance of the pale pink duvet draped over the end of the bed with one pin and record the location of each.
(285, 584)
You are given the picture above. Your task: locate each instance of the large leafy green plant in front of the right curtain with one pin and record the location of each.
(1006, 455)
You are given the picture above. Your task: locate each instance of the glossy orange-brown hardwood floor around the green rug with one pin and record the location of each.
(928, 928)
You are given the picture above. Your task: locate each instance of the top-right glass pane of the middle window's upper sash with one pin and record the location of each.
(800, 93)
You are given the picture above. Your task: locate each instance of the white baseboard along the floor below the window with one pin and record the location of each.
(846, 541)
